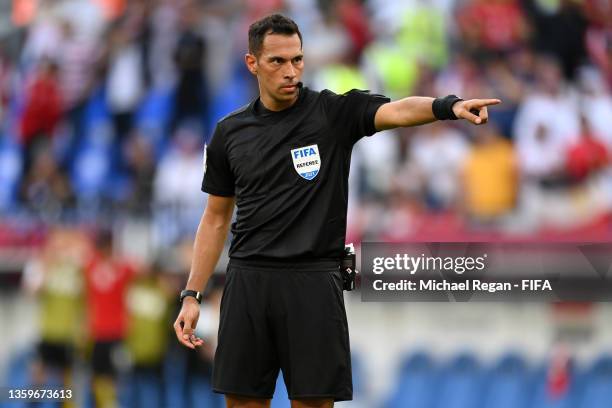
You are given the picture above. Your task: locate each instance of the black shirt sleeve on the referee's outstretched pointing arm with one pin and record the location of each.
(351, 114)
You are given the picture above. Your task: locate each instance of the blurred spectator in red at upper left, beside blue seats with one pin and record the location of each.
(42, 112)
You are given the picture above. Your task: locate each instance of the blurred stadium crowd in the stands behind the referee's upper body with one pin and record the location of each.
(106, 106)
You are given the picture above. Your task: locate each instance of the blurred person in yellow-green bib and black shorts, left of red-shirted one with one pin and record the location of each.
(55, 278)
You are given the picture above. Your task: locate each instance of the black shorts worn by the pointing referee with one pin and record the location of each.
(283, 317)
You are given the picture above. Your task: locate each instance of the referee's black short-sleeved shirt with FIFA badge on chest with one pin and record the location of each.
(289, 172)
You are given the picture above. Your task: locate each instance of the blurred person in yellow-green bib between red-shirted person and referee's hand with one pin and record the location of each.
(148, 333)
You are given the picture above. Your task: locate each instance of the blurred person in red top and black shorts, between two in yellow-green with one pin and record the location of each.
(107, 278)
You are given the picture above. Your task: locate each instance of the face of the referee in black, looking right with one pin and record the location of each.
(278, 68)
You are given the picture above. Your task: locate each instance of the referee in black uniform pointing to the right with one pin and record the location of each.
(283, 160)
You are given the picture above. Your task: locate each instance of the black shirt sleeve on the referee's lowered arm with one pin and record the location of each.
(218, 177)
